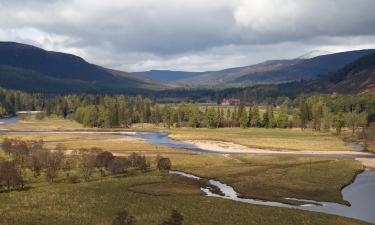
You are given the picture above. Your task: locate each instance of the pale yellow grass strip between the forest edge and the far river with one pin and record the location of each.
(277, 139)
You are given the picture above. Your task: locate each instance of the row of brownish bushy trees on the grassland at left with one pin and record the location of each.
(81, 164)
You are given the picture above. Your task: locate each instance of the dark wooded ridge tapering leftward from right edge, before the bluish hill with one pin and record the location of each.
(356, 77)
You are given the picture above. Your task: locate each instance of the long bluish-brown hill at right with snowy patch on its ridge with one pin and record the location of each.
(272, 72)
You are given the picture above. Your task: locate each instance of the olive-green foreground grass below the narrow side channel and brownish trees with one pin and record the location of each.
(97, 202)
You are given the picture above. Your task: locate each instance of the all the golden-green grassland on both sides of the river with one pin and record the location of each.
(151, 196)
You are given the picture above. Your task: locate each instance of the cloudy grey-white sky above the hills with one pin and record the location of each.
(193, 35)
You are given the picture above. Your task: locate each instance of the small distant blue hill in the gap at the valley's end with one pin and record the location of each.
(168, 76)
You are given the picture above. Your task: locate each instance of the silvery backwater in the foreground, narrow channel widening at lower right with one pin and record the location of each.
(360, 194)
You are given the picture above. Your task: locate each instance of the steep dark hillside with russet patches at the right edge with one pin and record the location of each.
(358, 76)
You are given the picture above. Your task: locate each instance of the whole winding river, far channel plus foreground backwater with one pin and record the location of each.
(360, 194)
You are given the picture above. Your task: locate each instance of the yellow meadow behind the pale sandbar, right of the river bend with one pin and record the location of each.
(277, 139)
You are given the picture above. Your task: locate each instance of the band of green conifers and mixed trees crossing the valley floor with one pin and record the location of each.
(318, 112)
